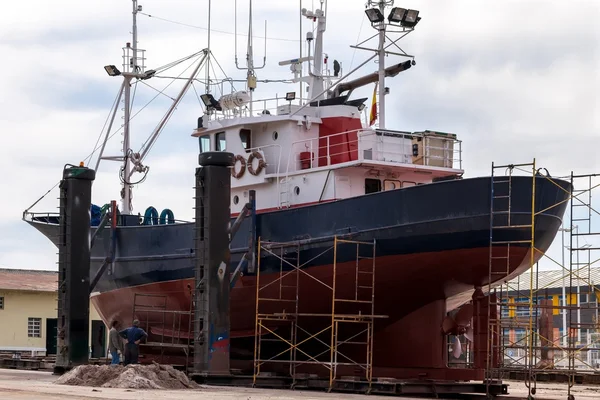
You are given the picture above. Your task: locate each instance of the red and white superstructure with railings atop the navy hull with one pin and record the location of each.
(295, 152)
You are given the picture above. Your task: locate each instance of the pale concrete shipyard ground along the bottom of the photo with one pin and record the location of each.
(29, 385)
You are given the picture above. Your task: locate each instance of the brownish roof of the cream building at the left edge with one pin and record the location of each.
(27, 279)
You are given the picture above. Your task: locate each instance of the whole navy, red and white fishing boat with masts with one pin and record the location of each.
(320, 169)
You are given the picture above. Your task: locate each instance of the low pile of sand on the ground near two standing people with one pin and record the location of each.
(154, 376)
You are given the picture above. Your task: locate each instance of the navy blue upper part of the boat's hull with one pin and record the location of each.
(436, 217)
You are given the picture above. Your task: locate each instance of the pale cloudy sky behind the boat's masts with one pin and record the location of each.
(513, 79)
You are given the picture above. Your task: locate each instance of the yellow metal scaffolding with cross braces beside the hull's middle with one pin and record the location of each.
(316, 313)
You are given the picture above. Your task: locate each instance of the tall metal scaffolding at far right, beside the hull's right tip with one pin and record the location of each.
(528, 342)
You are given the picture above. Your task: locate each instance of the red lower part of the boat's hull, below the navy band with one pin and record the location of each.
(414, 291)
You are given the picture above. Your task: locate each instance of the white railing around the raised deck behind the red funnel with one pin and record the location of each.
(376, 145)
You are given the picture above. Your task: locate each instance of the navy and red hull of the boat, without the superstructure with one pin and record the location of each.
(432, 246)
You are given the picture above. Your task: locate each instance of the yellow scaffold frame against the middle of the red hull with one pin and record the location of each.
(283, 306)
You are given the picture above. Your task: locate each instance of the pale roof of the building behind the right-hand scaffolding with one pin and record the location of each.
(554, 279)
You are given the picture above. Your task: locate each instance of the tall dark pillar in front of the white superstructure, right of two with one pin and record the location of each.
(211, 265)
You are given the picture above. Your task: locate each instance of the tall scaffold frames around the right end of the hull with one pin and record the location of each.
(531, 350)
